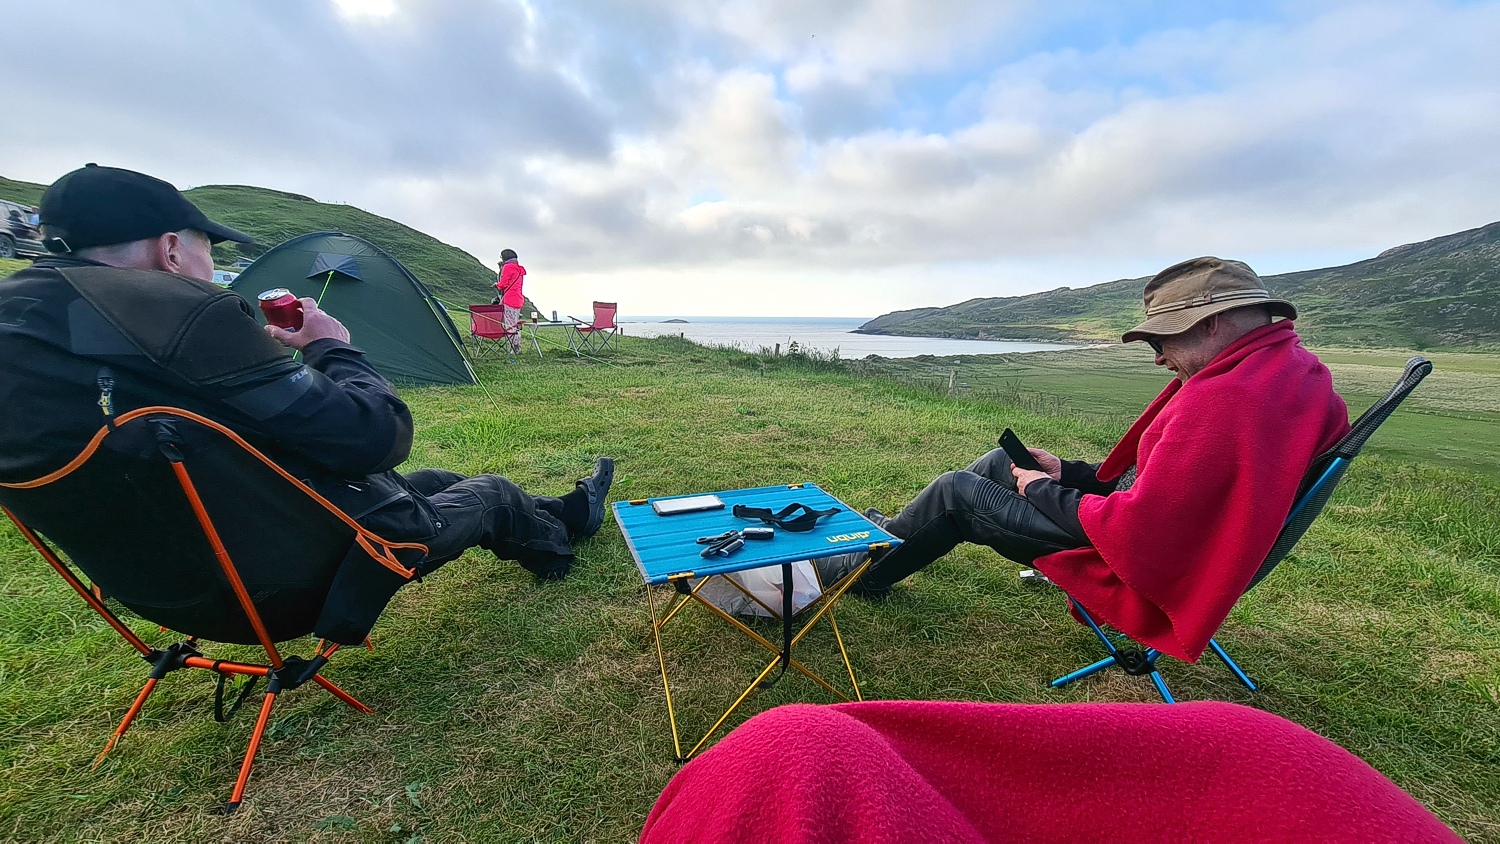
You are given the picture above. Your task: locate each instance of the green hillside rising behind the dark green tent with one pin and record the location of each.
(274, 217)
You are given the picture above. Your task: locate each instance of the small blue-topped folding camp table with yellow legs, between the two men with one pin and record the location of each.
(667, 552)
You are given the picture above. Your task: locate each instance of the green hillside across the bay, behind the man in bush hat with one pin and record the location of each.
(1442, 293)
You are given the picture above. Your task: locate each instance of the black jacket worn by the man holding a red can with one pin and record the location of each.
(181, 343)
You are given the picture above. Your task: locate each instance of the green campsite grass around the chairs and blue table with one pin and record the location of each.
(512, 711)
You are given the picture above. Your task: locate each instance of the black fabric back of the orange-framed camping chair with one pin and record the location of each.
(127, 524)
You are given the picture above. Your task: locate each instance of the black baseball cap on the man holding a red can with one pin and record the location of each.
(103, 206)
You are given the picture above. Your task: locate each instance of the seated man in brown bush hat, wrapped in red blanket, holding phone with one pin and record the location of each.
(1163, 537)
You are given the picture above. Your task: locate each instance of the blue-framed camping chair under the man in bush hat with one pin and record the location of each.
(1318, 486)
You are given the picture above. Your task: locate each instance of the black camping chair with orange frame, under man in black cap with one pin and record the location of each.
(190, 527)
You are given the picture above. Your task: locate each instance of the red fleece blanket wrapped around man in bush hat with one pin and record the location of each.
(1219, 461)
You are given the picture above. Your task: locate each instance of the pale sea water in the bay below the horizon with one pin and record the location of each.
(823, 334)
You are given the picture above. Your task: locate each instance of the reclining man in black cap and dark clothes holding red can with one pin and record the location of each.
(125, 307)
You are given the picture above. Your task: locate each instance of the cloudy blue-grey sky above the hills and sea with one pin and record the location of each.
(838, 158)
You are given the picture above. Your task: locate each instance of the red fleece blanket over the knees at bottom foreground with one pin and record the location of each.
(907, 773)
